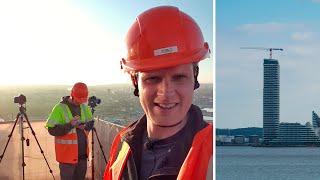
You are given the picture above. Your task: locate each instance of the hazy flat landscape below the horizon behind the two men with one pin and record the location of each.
(118, 105)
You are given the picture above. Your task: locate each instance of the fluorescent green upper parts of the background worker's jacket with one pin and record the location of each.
(61, 114)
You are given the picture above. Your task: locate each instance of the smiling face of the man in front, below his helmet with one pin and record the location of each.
(166, 95)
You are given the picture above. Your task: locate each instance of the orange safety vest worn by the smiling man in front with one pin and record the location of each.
(195, 165)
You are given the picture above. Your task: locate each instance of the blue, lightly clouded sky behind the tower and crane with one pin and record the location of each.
(289, 24)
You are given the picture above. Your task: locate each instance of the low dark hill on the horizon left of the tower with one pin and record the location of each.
(240, 131)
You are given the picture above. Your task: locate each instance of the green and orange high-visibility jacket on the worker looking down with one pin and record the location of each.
(66, 146)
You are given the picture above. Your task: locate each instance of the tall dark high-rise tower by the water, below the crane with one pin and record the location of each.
(271, 99)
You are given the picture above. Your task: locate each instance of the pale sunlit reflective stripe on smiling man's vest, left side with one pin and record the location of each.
(118, 166)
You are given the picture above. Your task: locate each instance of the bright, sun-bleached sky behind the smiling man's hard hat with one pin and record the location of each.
(61, 42)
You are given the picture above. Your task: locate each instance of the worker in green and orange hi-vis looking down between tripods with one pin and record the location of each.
(70, 122)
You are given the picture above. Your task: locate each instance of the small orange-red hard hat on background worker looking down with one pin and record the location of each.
(79, 92)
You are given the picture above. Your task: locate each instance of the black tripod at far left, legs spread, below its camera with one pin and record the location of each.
(20, 117)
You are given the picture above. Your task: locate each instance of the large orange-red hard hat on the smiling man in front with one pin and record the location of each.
(163, 37)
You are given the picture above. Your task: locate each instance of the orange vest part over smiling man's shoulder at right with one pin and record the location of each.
(195, 165)
